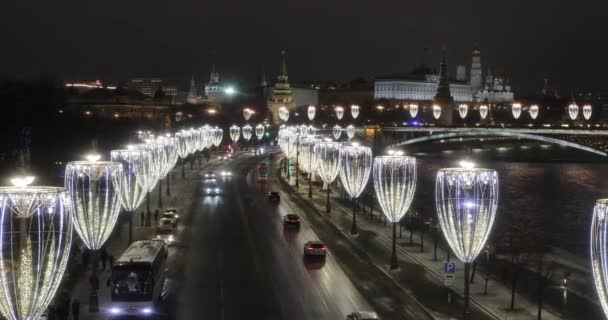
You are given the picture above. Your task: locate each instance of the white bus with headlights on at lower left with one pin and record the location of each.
(137, 278)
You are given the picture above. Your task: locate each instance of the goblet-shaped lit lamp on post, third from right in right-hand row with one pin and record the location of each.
(395, 184)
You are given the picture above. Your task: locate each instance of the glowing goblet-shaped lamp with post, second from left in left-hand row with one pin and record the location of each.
(94, 187)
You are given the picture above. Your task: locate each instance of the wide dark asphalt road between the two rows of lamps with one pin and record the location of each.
(242, 264)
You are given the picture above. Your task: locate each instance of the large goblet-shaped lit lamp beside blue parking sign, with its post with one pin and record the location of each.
(466, 200)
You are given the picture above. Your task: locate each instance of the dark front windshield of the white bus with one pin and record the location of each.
(132, 284)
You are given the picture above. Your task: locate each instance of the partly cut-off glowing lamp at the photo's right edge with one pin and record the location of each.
(599, 251)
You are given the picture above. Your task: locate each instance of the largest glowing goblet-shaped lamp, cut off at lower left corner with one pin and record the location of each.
(36, 236)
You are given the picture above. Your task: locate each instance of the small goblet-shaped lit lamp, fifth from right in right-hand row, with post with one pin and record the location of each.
(327, 159)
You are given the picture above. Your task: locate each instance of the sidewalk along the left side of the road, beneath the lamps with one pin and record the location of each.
(182, 191)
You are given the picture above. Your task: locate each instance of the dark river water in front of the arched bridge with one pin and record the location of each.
(560, 195)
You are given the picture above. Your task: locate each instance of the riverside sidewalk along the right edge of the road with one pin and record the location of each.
(376, 239)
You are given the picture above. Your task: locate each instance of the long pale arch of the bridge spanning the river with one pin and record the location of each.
(479, 133)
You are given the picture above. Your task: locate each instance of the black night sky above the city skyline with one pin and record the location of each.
(336, 40)
